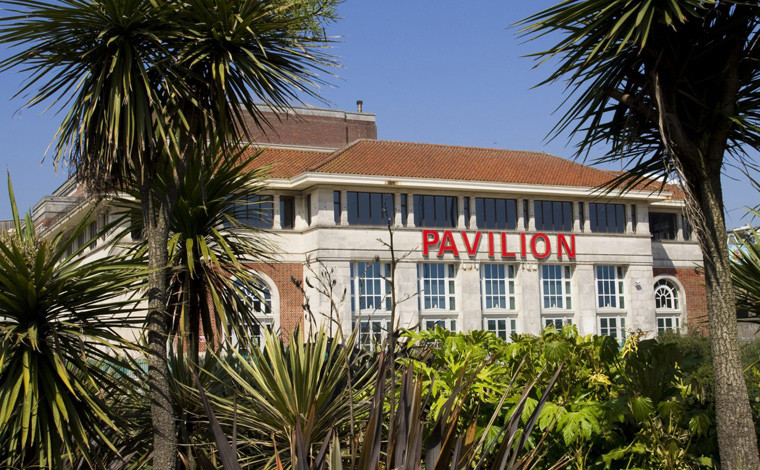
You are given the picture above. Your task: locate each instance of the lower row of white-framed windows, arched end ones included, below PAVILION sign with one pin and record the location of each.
(370, 294)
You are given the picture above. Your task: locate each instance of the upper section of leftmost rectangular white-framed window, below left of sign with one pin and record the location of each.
(369, 290)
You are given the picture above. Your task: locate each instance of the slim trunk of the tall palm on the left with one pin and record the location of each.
(155, 215)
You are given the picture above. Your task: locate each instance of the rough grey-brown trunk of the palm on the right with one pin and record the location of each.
(736, 432)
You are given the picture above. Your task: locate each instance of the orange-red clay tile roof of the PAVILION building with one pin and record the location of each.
(432, 161)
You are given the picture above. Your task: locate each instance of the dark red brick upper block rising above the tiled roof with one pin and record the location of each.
(313, 131)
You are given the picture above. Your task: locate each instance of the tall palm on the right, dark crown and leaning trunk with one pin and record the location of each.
(671, 87)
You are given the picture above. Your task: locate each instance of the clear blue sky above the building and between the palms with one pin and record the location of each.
(432, 71)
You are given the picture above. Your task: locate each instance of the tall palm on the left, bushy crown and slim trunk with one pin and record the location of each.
(145, 84)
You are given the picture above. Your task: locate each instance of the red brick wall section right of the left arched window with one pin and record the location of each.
(291, 298)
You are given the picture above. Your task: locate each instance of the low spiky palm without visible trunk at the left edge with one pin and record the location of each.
(58, 316)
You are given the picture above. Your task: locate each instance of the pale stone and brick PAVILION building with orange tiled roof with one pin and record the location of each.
(509, 241)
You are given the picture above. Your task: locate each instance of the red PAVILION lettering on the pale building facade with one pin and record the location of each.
(540, 245)
